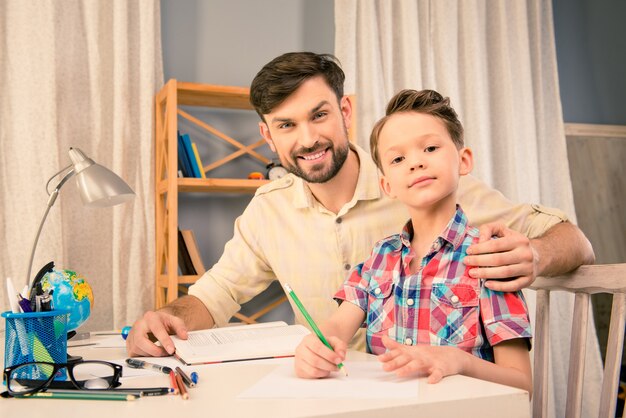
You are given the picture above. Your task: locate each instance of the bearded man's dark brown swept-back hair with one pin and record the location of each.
(279, 78)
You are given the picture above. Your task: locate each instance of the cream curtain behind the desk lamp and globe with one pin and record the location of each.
(80, 73)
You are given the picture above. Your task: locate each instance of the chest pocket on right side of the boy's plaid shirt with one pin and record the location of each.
(454, 316)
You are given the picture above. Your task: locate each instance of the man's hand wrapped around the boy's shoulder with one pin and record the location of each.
(510, 257)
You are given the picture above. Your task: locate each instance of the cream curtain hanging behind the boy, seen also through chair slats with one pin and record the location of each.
(496, 60)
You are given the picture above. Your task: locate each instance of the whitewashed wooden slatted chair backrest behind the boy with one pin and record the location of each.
(584, 281)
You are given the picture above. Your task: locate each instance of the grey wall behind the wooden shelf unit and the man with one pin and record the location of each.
(226, 42)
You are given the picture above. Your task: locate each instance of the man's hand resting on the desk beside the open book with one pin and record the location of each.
(160, 325)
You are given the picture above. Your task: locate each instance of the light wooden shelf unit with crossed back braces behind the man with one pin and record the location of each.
(167, 185)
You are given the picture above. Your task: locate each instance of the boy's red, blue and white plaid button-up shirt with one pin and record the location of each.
(438, 305)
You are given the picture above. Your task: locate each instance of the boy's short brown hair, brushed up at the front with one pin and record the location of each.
(428, 102)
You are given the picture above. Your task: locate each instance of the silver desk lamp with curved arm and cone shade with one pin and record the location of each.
(98, 186)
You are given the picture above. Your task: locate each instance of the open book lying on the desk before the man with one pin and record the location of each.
(237, 343)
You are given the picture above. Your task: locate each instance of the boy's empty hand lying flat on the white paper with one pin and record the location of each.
(436, 362)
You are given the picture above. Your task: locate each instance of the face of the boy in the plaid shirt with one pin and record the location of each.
(421, 165)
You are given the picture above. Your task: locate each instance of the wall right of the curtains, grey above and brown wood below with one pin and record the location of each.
(591, 52)
